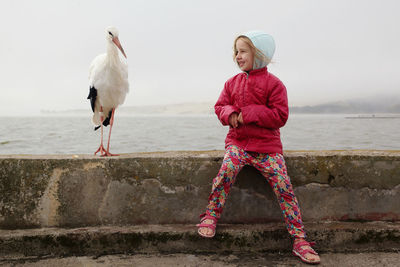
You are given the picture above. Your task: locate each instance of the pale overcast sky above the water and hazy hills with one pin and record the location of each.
(181, 50)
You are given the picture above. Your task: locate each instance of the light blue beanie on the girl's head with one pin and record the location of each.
(263, 42)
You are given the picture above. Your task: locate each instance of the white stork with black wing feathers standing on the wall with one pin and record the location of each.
(108, 86)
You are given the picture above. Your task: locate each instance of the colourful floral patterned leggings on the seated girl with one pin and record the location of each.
(273, 168)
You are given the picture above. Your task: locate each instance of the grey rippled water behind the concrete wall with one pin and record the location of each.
(75, 135)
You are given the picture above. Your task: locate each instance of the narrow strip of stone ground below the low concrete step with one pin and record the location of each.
(374, 259)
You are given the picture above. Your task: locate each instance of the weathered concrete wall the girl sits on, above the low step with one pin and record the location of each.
(173, 187)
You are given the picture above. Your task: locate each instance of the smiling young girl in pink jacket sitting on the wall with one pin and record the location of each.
(254, 104)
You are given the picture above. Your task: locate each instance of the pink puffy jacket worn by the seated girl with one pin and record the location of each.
(262, 99)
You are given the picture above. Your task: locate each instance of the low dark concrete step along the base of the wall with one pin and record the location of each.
(330, 237)
